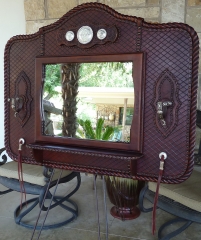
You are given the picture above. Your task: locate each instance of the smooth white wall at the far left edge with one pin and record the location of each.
(12, 22)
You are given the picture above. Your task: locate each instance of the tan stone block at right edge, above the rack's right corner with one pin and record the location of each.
(193, 18)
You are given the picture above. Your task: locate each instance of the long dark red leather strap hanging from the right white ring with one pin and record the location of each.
(156, 197)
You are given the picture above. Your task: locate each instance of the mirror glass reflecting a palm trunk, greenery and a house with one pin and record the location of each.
(89, 100)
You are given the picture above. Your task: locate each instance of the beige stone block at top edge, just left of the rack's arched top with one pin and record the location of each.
(57, 8)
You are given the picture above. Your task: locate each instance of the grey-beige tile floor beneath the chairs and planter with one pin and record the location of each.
(85, 226)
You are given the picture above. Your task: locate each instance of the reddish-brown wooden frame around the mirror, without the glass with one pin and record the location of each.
(136, 137)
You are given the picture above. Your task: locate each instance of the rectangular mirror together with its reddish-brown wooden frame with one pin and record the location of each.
(103, 93)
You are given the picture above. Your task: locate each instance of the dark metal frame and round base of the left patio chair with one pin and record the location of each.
(13, 185)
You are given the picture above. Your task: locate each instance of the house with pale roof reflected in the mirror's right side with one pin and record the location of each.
(114, 105)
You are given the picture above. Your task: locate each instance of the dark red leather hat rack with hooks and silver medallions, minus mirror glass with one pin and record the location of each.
(164, 59)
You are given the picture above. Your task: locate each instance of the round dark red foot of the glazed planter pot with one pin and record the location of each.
(125, 213)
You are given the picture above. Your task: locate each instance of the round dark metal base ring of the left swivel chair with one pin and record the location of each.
(19, 215)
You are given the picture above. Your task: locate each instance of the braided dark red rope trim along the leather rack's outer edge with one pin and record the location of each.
(193, 49)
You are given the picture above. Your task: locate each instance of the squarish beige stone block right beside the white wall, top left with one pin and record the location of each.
(34, 9)
